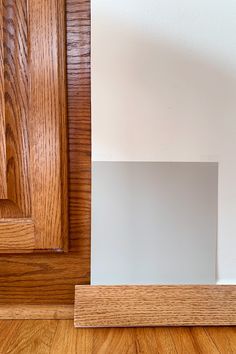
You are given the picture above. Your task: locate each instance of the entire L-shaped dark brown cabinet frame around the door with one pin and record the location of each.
(51, 278)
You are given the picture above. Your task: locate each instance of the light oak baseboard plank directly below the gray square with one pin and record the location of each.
(140, 306)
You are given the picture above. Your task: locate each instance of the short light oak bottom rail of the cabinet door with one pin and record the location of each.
(16, 234)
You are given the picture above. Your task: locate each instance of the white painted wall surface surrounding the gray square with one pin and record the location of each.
(164, 89)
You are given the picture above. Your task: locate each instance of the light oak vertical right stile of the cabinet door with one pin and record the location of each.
(47, 119)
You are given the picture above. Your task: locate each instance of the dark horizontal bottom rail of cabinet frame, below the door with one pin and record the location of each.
(42, 278)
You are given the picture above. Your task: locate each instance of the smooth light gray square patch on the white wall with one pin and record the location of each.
(154, 223)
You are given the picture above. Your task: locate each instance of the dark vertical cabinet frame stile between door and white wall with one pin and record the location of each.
(79, 124)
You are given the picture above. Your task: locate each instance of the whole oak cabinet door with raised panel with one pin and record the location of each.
(33, 149)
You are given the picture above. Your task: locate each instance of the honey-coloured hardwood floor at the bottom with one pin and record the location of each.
(60, 337)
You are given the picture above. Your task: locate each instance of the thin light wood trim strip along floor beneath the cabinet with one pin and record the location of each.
(36, 312)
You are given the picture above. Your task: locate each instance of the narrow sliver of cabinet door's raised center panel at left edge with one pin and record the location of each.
(3, 183)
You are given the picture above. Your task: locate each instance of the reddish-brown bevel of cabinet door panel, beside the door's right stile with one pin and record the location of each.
(16, 90)
